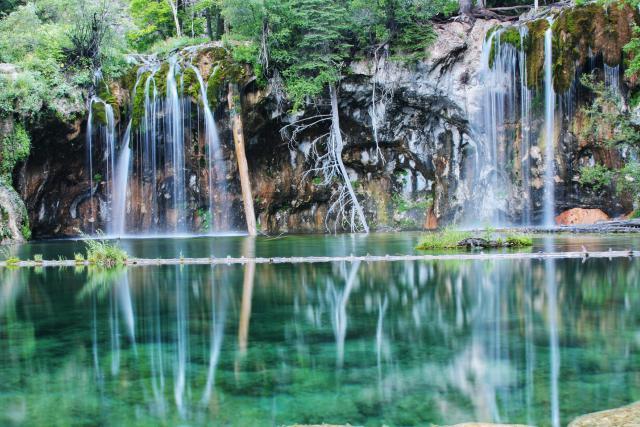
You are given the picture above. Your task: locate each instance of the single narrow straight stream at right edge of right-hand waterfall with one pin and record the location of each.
(549, 120)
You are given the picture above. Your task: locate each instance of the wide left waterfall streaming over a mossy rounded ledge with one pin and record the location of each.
(154, 166)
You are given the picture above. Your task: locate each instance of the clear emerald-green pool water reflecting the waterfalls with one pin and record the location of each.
(413, 343)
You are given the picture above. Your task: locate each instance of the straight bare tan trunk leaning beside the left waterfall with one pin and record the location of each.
(243, 169)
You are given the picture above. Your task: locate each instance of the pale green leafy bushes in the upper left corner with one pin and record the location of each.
(48, 70)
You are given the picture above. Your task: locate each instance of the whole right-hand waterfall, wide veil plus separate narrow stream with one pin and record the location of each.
(507, 127)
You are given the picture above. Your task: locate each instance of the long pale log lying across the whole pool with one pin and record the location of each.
(311, 260)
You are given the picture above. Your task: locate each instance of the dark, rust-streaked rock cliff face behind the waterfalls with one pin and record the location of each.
(410, 149)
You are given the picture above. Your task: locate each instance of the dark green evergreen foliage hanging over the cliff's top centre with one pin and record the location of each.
(308, 42)
